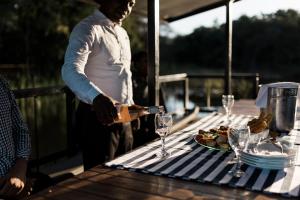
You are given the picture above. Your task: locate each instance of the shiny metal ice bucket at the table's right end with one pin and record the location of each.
(282, 105)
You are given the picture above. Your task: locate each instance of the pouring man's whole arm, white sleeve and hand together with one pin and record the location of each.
(80, 45)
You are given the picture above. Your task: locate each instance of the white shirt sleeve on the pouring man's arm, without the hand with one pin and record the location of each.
(80, 46)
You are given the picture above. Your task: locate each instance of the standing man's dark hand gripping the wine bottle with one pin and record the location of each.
(105, 109)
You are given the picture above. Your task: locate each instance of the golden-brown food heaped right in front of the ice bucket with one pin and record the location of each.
(261, 123)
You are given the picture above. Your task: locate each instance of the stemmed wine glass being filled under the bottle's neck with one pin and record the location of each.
(163, 124)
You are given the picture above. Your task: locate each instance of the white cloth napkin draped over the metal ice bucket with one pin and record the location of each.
(262, 97)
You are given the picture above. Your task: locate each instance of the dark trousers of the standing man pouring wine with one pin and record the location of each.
(100, 143)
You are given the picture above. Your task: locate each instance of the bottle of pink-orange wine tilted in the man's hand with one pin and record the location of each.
(128, 113)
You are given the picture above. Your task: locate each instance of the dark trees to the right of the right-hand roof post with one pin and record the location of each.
(271, 42)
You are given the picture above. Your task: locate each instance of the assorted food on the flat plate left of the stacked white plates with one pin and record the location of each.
(216, 137)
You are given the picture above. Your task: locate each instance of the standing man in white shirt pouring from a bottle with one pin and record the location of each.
(97, 70)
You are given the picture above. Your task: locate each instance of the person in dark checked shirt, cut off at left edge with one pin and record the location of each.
(14, 145)
